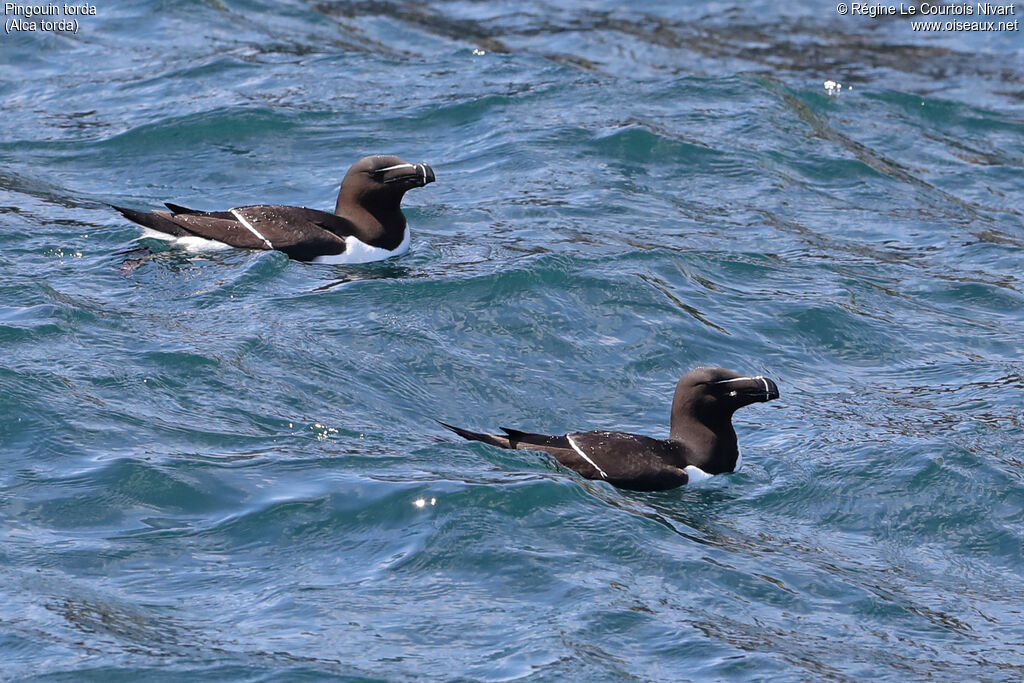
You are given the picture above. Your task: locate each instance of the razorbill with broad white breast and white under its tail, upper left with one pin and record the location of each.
(367, 225)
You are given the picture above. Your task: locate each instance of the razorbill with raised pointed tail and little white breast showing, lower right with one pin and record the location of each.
(702, 441)
